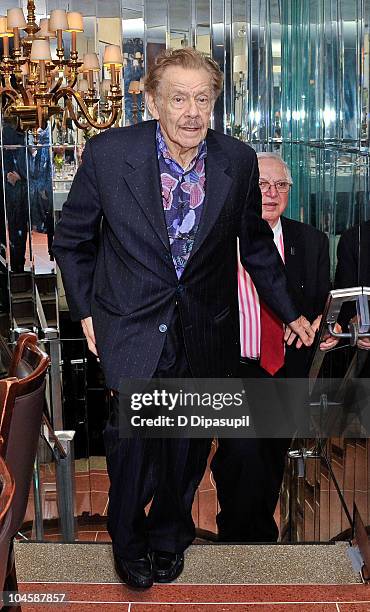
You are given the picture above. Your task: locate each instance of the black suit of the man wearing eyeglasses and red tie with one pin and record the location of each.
(248, 472)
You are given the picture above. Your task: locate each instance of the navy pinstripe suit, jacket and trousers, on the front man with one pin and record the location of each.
(113, 250)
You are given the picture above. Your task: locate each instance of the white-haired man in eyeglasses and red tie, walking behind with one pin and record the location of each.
(248, 472)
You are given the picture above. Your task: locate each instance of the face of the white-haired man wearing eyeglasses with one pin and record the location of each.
(274, 202)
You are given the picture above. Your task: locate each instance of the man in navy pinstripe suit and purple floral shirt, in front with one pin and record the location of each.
(147, 249)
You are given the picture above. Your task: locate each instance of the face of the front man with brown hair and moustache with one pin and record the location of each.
(183, 105)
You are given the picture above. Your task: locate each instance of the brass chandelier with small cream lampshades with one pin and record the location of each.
(33, 84)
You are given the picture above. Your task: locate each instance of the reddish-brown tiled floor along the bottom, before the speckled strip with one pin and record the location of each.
(215, 598)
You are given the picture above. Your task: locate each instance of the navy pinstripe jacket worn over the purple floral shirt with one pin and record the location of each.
(113, 250)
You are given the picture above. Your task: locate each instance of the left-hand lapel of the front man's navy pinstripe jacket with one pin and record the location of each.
(144, 181)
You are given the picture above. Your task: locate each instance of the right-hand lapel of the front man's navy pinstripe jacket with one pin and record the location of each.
(218, 184)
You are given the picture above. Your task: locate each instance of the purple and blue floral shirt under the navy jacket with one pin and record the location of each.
(183, 193)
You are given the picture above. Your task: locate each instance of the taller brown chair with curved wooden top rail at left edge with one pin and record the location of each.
(22, 398)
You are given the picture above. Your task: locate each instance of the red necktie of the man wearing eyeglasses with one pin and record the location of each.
(272, 341)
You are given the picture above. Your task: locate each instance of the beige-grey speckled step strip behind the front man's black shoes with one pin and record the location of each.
(212, 564)
